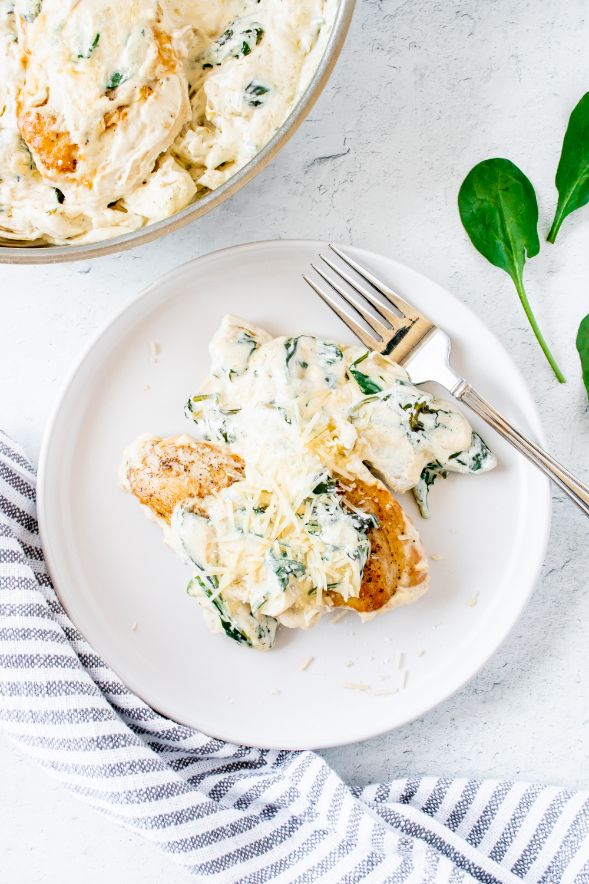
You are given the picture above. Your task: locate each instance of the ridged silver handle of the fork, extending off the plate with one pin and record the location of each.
(578, 492)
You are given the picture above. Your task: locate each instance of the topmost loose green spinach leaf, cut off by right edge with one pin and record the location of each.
(572, 175)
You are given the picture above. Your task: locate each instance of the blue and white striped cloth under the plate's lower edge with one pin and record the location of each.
(235, 814)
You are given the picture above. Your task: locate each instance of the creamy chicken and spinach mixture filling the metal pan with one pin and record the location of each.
(163, 101)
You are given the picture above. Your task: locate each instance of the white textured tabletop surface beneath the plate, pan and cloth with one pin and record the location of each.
(423, 91)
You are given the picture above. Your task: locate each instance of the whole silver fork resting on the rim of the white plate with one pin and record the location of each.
(411, 339)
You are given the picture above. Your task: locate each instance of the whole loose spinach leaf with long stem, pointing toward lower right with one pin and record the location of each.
(499, 211)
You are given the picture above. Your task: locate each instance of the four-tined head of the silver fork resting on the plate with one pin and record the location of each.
(398, 326)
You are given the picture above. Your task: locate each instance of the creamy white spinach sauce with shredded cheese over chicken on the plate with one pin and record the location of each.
(301, 411)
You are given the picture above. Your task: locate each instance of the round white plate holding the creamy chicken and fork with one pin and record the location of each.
(125, 590)
